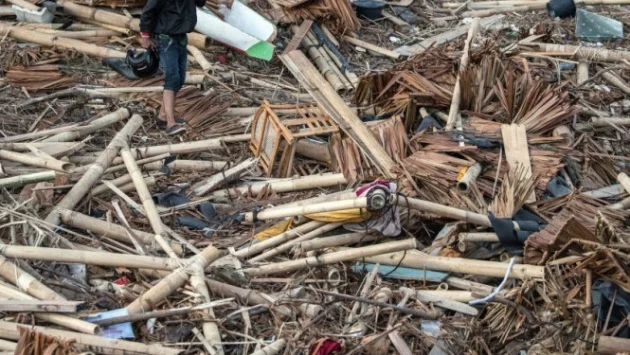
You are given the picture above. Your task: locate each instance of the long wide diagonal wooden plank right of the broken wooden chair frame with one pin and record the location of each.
(334, 106)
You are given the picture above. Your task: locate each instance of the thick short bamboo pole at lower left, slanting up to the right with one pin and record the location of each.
(173, 281)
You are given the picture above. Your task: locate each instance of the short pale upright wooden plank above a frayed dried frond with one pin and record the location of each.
(517, 150)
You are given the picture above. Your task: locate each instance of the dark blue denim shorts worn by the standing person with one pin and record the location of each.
(173, 59)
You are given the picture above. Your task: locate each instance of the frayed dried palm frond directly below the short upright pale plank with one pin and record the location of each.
(513, 193)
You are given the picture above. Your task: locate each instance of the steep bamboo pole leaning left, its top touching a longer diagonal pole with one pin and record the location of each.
(147, 201)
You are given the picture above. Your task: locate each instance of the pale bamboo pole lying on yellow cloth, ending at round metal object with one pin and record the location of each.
(281, 212)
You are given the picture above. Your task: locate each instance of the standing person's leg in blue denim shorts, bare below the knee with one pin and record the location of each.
(169, 60)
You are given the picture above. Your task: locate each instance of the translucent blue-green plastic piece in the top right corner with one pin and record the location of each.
(596, 28)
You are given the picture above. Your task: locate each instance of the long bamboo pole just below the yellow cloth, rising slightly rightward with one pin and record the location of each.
(332, 258)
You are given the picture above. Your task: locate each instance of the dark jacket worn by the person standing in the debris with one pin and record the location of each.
(169, 17)
